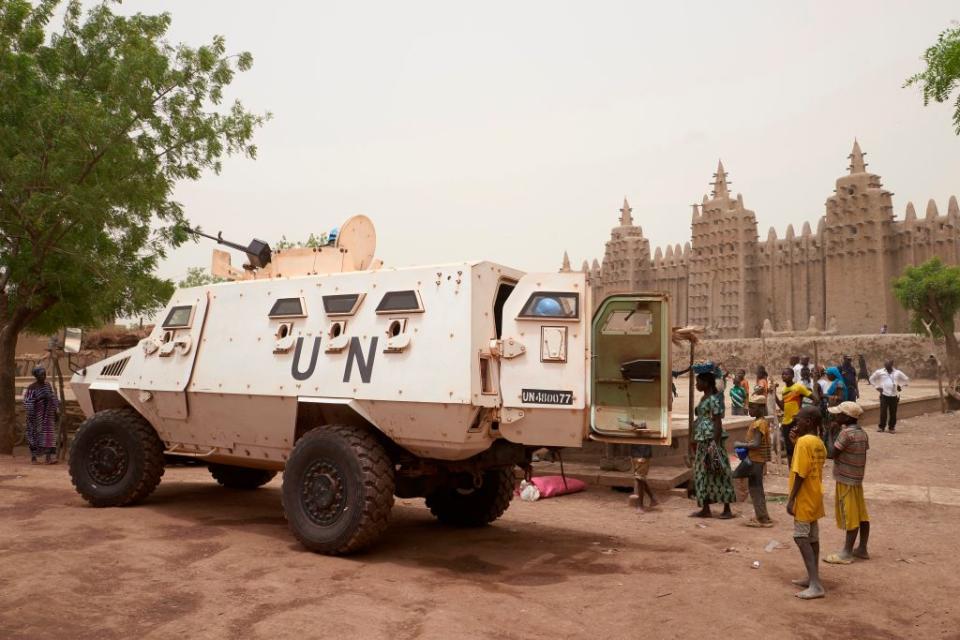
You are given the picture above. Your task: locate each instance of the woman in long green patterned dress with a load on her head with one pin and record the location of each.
(712, 479)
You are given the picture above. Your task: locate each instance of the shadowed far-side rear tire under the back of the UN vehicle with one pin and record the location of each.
(474, 507)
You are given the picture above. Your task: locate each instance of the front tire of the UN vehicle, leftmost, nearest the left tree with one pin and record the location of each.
(116, 458)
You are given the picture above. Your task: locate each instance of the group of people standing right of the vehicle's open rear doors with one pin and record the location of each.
(818, 419)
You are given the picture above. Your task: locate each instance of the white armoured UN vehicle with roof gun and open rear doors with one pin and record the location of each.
(362, 383)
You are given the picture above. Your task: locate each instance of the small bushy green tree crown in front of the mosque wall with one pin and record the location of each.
(931, 292)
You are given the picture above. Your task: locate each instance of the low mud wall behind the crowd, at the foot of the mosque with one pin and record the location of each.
(910, 352)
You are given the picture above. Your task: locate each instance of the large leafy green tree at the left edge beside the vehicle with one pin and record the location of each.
(98, 122)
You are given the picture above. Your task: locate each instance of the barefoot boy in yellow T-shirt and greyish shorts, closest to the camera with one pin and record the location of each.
(805, 503)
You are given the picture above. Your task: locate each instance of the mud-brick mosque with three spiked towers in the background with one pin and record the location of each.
(731, 282)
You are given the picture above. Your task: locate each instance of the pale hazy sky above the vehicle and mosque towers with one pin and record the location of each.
(511, 131)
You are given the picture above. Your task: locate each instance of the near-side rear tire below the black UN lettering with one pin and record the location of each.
(338, 489)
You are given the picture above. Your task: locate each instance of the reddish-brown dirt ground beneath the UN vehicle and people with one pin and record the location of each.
(196, 560)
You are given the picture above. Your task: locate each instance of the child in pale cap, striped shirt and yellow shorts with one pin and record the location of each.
(849, 464)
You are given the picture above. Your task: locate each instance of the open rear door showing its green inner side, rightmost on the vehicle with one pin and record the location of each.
(630, 376)
